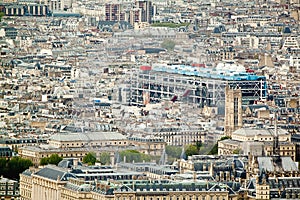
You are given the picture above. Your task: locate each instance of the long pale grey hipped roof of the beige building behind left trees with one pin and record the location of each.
(87, 137)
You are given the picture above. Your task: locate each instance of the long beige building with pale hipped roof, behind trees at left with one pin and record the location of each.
(77, 145)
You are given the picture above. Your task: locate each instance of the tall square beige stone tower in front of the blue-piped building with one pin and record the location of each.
(233, 110)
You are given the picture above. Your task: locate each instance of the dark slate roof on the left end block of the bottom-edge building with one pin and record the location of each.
(54, 173)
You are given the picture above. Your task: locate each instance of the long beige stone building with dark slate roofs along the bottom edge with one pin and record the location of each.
(54, 182)
